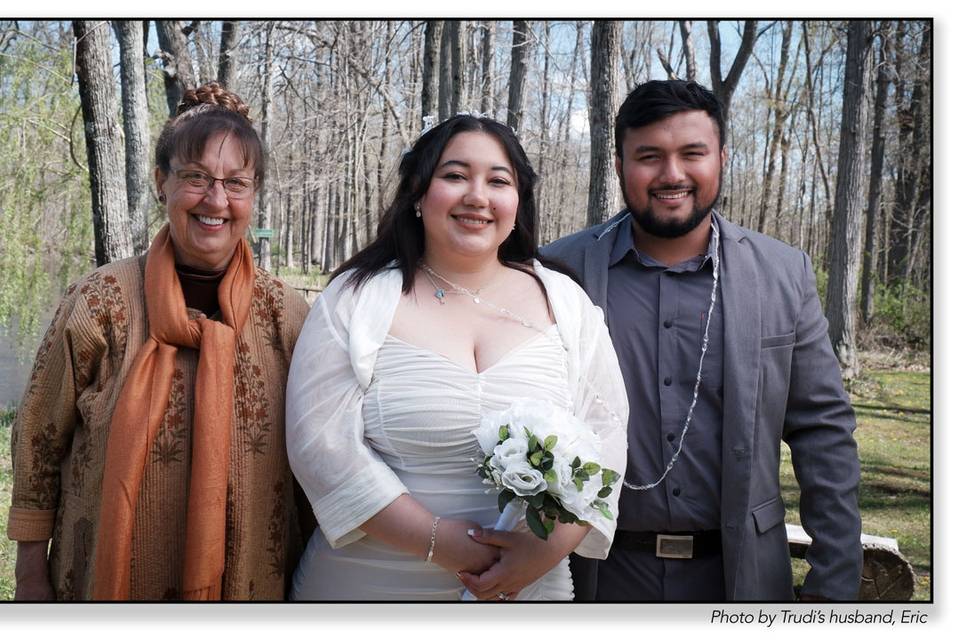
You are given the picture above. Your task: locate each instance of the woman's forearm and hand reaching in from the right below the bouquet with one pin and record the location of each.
(524, 558)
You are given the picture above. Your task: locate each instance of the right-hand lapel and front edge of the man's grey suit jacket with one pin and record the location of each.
(741, 371)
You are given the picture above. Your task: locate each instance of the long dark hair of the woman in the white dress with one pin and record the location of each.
(400, 232)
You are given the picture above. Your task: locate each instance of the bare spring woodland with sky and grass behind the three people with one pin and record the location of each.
(829, 134)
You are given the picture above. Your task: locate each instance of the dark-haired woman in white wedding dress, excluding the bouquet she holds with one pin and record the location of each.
(445, 317)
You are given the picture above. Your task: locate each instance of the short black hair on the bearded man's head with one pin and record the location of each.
(657, 99)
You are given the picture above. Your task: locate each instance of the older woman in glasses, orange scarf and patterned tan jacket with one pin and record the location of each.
(149, 445)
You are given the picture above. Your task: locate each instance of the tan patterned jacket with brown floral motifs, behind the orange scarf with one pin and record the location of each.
(60, 436)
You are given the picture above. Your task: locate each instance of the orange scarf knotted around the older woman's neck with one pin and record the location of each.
(140, 409)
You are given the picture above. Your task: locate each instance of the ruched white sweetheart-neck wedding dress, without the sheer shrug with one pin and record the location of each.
(419, 412)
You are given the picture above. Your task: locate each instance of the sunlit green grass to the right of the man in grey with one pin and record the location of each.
(895, 483)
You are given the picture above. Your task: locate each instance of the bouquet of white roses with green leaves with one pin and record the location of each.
(544, 457)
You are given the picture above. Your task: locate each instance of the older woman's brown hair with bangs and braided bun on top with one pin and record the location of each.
(203, 112)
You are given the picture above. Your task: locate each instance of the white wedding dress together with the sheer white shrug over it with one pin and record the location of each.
(371, 417)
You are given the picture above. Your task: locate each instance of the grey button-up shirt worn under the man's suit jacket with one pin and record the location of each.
(657, 316)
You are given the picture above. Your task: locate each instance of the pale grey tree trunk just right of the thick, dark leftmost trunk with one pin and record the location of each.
(136, 129)
